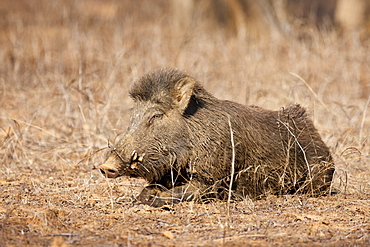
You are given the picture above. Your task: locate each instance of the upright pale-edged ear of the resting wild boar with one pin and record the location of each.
(183, 91)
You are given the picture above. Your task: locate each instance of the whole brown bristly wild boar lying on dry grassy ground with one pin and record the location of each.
(179, 140)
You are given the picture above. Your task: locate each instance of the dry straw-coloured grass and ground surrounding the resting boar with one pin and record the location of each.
(64, 76)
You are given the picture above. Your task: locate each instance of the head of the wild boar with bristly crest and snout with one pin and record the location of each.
(156, 143)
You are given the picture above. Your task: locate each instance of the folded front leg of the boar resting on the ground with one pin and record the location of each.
(158, 196)
